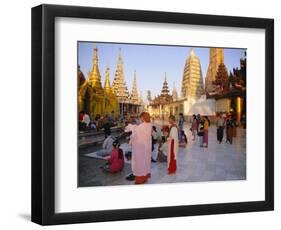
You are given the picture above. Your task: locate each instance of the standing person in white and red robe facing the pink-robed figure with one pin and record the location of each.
(173, 144)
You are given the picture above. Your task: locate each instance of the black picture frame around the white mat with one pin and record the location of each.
(43, 114)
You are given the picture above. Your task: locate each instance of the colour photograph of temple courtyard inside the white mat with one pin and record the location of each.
(153, 114)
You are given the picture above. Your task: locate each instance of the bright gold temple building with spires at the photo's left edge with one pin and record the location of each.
(92, 97)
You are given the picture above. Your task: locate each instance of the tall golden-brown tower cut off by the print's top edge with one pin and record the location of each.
(216, 58)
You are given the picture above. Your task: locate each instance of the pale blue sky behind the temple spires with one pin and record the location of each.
(150, 62)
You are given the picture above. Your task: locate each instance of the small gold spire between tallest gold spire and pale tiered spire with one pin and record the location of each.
(110, 99)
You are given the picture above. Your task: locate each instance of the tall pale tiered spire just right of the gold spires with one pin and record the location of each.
(119, 85)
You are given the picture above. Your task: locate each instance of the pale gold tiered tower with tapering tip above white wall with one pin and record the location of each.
(192, 82)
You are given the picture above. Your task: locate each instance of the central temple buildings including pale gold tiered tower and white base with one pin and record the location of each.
(192, 100)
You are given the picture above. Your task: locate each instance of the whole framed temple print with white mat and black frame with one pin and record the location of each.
(144, 114)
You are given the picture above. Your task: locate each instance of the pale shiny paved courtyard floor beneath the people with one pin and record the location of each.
(218, 162)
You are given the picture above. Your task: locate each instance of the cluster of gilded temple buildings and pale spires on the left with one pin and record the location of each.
(93, 98)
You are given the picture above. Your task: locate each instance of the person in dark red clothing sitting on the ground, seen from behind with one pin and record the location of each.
(115, 162)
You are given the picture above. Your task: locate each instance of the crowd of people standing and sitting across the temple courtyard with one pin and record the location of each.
(145, 138)
